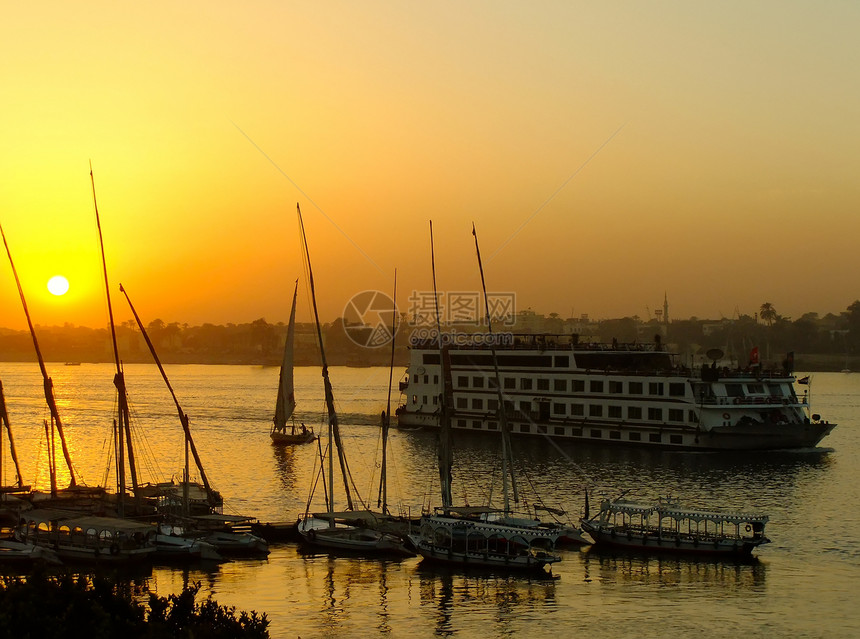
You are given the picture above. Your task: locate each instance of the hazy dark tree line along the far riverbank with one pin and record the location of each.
(819, 343)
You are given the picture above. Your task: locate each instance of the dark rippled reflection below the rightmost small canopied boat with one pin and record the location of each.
(612, 568)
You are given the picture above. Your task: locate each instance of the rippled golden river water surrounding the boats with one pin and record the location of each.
(803, 584)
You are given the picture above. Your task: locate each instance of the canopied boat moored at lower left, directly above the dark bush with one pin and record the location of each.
(81, 537)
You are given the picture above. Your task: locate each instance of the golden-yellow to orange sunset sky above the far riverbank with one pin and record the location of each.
(608, 153)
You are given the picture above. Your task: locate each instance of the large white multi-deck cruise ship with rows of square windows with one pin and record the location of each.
(630, 394)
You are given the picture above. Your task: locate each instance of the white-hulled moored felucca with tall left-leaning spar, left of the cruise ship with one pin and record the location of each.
(331, 529)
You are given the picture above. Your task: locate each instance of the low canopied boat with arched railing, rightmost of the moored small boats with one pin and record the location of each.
(667, 527)
